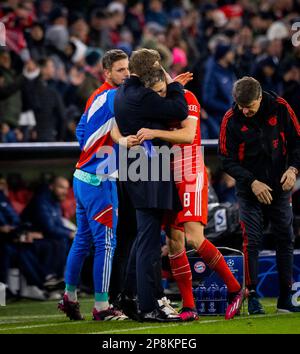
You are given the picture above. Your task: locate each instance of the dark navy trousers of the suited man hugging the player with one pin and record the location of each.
(144, 263)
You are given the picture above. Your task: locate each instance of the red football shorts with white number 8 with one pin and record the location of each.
(194, 198)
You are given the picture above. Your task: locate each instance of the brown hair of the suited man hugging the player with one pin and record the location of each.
(143, 60)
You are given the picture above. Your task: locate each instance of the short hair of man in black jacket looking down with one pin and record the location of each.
(246, 90)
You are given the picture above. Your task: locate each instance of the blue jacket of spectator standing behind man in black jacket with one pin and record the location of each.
(217, 93)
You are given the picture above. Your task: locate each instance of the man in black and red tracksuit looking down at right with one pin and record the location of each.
(259, 146)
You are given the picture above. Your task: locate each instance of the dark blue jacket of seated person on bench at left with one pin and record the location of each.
(45, 214)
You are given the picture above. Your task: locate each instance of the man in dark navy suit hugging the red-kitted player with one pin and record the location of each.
(137, 107)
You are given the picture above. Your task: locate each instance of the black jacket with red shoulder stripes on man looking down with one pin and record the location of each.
(260, 147)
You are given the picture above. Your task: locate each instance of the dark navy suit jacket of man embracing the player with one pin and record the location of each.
(138, 107)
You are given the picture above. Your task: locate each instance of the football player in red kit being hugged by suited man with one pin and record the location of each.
(191, 182)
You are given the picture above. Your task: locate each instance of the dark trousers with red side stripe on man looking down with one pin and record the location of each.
(280, 216)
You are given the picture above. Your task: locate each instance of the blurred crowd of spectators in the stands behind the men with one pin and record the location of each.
(51, 62)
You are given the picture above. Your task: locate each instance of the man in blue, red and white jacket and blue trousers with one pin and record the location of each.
(95, 191)
